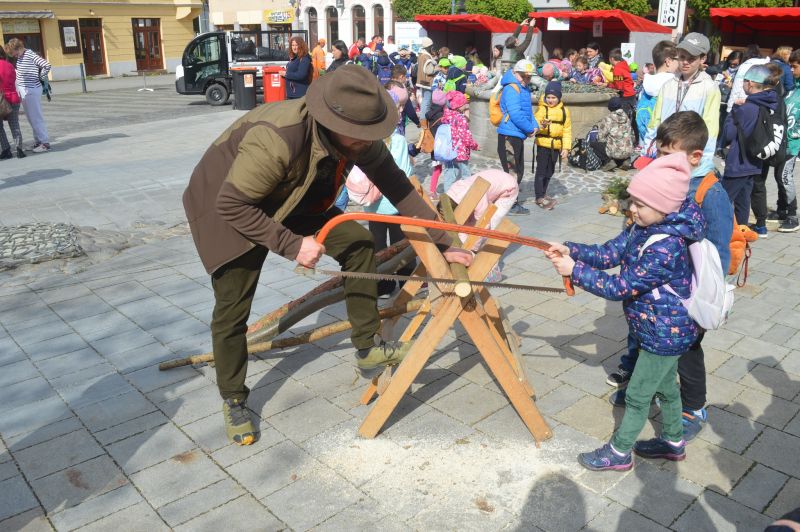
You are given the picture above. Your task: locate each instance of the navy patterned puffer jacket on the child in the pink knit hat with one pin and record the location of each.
(659, 321)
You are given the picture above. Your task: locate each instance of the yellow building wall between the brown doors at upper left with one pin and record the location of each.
(117, 31)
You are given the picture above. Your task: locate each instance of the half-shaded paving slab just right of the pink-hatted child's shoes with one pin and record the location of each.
(711, 466)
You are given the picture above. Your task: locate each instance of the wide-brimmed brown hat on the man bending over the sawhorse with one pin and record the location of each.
(351, 102)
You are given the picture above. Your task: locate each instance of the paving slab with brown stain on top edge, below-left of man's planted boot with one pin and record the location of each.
(177, 477)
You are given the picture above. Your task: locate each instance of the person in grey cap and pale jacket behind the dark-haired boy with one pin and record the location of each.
(691, 90)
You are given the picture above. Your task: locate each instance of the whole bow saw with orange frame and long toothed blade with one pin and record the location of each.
(443, 226)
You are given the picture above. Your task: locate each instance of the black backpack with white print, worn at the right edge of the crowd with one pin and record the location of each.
(767, 142)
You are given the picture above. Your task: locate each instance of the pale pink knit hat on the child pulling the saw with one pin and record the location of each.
(663, 184)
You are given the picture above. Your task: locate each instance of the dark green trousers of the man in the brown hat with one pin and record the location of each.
(235, 283)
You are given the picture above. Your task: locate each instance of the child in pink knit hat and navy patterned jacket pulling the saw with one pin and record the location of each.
(651, 254)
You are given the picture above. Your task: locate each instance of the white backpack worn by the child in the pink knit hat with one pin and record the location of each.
(711, 298)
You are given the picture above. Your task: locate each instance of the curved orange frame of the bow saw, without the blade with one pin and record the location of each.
(444, 226)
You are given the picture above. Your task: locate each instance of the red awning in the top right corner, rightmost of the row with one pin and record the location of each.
(781, 20)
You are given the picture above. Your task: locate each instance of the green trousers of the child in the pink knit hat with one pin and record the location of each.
(653, 375)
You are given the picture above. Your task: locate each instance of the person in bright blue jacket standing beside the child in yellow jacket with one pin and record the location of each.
(517, 123)
